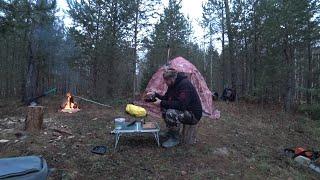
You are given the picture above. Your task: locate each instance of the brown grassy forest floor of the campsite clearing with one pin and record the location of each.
(247, 142)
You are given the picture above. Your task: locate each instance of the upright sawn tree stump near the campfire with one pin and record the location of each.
(34, 118)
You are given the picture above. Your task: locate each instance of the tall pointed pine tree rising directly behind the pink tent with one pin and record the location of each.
(169, 39)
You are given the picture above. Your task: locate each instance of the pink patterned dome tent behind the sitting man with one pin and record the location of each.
(158, 85)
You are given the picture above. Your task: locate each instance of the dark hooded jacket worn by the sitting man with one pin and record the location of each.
(182, 96)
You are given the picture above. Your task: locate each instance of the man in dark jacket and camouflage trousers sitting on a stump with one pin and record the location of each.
(180, 104)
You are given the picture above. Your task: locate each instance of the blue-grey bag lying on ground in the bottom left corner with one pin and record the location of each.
(23, 168)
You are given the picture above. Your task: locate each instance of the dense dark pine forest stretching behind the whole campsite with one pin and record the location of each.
(270, 49)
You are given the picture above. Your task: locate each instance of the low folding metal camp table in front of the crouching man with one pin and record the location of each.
(136, 128)
